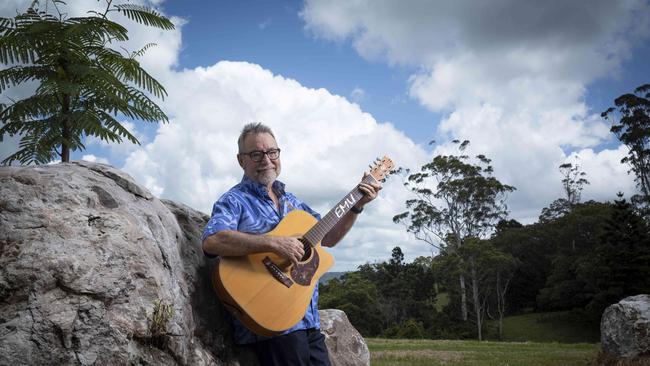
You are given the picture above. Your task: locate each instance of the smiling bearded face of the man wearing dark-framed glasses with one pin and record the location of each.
(266, 171)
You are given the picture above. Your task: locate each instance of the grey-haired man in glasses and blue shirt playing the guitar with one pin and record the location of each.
(254, 207)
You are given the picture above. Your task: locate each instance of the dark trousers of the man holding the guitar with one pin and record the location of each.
(299, 348)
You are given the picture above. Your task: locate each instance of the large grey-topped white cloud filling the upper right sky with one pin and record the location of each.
(509, 75)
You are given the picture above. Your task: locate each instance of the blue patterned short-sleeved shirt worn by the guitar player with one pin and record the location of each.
(247, 207)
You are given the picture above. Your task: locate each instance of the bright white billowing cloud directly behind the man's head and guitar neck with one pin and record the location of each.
(327, 142)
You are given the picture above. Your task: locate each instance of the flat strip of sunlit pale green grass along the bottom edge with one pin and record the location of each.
(402, 352)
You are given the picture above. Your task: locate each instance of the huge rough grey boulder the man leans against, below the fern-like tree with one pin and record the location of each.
(85, 254)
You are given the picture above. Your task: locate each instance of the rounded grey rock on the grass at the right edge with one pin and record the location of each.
(625, 327)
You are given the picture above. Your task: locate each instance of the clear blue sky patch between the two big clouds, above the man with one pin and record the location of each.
(272, 34)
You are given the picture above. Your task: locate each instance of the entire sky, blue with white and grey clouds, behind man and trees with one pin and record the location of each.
(342, 82)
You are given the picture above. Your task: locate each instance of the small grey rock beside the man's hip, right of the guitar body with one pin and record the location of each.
(344, 343)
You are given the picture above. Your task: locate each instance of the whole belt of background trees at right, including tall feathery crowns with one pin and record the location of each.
(579, 256)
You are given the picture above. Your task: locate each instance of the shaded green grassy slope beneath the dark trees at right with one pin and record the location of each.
(545, 327)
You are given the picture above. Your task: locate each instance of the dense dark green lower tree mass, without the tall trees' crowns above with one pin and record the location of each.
(581, 261)
